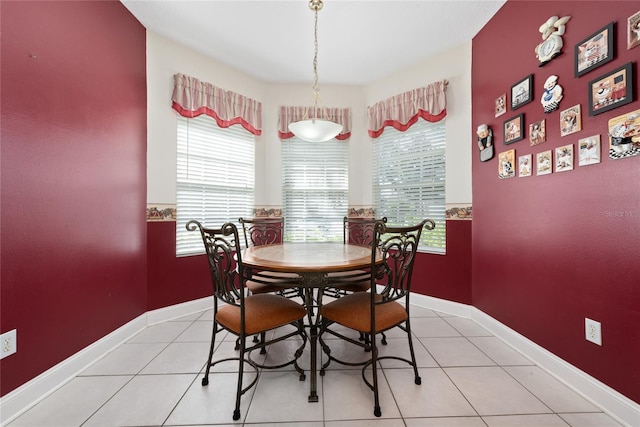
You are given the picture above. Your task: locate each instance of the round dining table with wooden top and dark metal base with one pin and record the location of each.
(313, 263)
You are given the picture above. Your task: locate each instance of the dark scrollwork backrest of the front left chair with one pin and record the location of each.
(222, 246)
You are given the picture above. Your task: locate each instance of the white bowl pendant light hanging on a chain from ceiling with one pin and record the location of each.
(315, 127)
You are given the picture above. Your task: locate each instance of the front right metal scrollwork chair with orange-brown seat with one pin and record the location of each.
(379, 309)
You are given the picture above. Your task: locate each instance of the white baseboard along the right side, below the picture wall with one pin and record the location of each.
(616, 405)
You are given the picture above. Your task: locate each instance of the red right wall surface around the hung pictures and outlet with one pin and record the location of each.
(550, 250)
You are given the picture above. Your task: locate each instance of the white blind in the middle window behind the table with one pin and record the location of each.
(315, 187)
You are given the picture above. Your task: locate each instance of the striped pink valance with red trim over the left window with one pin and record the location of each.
(192, 98)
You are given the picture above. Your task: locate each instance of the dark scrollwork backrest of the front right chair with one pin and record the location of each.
(398, 246)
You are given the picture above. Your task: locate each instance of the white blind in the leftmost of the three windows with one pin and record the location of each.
(215, 178)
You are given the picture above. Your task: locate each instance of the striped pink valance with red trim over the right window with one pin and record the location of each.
(403, 110)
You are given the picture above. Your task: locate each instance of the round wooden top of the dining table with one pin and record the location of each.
(304, 257)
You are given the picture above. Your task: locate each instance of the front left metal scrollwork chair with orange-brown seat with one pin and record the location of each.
(244, 315)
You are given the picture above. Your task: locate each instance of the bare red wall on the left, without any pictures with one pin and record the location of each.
(73, 178)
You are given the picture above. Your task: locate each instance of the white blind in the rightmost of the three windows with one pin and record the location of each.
(409, 179)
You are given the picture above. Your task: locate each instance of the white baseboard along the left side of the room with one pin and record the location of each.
(24, 397)
